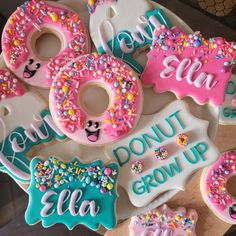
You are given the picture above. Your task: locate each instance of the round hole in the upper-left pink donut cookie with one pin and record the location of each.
(45, 41)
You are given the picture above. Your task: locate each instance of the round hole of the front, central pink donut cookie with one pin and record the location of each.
(94, 99)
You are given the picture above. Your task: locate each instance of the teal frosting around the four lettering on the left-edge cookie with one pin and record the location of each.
(19, 159)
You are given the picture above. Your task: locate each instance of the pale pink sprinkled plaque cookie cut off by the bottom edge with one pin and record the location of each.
(164, 221)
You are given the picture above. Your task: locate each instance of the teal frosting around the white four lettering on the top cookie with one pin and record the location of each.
(114, 44)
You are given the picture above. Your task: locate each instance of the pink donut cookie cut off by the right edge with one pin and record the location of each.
(214, 187)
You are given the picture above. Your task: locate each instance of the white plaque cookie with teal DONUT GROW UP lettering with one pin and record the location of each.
(159, 176)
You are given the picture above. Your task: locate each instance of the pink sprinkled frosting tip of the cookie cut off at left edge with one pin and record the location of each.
(9, 85)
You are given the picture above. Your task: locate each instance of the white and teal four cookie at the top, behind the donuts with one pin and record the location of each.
(124, 34)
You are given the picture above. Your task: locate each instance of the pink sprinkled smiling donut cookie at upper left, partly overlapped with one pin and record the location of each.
(30, 21)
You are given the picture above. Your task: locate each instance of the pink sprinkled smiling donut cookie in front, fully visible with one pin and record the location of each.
(122, 86)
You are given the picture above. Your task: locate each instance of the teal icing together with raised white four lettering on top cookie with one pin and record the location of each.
(124, 44)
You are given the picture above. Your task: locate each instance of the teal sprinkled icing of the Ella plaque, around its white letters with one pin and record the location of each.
(96, 182)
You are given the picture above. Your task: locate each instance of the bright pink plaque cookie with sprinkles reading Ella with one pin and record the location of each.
(189, 65)
